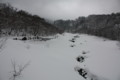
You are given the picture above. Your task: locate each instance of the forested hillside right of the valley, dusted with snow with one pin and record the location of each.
(100, 25)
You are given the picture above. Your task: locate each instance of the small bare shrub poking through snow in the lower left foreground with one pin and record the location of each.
(17, 69)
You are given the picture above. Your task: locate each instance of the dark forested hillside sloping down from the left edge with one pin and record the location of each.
(15, 22)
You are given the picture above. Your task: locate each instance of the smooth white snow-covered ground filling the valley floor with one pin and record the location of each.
(56, 59)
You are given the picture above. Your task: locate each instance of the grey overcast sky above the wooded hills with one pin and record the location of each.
(66, 9)
